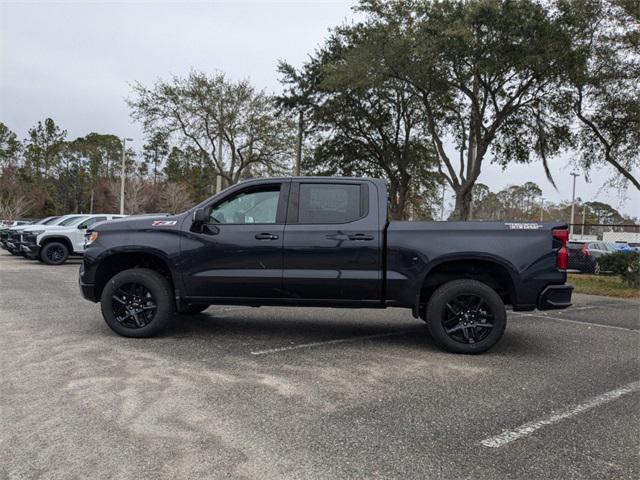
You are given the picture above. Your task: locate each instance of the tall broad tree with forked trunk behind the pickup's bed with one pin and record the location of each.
(484, 70)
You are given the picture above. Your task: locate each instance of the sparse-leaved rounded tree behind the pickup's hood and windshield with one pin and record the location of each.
(232, 125)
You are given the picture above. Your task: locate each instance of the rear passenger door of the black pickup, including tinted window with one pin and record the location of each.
(332, 243)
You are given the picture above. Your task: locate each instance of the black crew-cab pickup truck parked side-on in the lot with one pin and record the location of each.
(322, 241)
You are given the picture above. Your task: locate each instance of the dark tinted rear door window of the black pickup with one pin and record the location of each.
(329, 203)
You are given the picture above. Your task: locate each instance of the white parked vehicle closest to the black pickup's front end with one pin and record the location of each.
(53, 244)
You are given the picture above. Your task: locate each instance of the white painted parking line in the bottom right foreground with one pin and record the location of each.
(526, 429)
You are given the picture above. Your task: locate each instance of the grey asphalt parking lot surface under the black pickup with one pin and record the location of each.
(262, 393)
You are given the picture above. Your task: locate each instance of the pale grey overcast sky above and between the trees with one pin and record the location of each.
(74, 61)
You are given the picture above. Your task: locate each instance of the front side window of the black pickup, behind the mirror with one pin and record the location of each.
(252, 206)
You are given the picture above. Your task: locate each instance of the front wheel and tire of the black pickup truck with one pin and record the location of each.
(135, 290)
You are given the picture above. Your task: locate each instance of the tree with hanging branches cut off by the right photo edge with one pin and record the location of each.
(603, 86)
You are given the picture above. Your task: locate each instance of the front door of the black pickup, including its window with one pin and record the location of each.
(238, 252)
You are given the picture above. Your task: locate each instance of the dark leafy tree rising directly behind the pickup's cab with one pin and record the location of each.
(369, 127)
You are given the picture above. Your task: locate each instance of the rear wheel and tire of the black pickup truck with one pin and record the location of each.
(459, 314)
